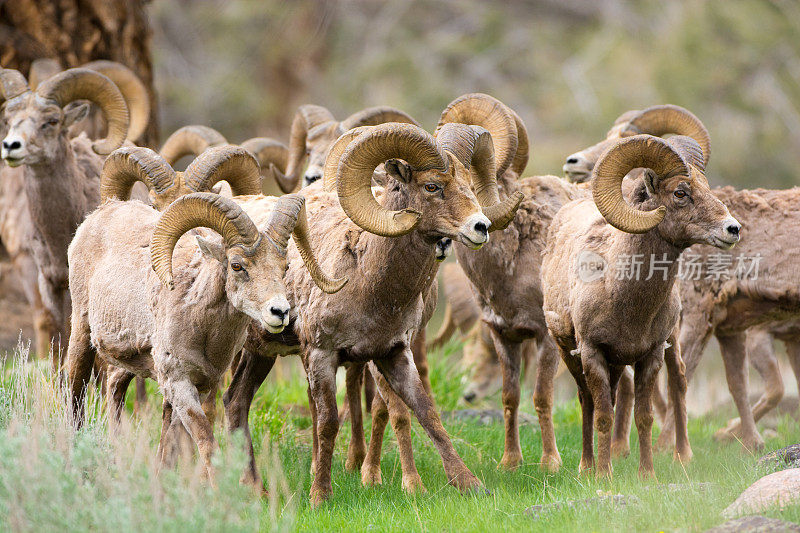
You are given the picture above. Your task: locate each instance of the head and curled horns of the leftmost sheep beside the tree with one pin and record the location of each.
(38, 120)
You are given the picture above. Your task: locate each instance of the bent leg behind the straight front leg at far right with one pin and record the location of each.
(759, 350)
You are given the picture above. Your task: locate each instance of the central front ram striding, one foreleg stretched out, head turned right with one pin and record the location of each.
(385, 249)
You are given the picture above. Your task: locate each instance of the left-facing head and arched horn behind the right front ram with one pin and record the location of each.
(657, 120)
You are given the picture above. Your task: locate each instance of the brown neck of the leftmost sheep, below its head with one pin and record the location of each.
(56, 200)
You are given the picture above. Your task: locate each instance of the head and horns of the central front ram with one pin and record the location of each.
(432, 176)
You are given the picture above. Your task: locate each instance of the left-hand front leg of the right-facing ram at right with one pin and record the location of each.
(598, 381)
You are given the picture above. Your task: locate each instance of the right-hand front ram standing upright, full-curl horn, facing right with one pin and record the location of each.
(603, 321)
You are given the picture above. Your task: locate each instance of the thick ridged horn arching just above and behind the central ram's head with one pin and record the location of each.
(490, 113)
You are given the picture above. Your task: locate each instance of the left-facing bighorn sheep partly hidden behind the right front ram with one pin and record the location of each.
(717, 306)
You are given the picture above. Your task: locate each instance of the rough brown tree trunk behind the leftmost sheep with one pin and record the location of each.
(78, 31)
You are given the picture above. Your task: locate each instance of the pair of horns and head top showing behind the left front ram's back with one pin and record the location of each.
(124, 167)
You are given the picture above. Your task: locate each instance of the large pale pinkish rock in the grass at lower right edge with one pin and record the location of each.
(774, 490)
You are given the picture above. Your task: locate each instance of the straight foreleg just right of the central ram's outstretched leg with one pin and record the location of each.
(510, 355)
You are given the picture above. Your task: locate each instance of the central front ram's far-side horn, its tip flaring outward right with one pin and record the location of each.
(473, 147)
